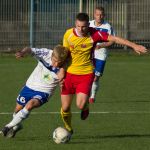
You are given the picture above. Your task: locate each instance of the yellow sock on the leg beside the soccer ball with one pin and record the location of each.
(66, 117)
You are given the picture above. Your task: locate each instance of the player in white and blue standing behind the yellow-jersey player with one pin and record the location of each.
(100, 53)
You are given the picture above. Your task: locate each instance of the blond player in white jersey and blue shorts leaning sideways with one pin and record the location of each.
(39, 86)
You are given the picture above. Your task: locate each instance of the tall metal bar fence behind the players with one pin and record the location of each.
(42, 23)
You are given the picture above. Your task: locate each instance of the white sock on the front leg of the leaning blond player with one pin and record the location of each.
(22, 114)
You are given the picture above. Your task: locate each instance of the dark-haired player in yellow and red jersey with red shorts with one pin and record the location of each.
(81, 41)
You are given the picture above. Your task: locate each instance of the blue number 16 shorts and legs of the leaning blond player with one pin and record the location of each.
(28, 99)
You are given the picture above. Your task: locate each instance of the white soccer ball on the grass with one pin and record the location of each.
(61, 135)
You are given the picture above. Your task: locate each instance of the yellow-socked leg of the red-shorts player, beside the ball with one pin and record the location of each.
(66, 115)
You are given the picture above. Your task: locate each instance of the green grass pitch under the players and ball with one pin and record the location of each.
(120, 118)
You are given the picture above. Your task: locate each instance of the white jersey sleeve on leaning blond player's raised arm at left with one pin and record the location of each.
(40, 53)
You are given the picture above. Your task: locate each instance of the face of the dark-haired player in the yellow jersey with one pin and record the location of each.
(82, 27)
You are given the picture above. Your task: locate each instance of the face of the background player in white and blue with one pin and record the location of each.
(98, 16)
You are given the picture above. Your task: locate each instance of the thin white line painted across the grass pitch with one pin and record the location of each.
(100, 112)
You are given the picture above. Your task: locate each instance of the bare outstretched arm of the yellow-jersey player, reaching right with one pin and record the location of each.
(137, 48)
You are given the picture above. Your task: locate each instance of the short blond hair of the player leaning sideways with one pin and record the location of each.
(61, 52)
